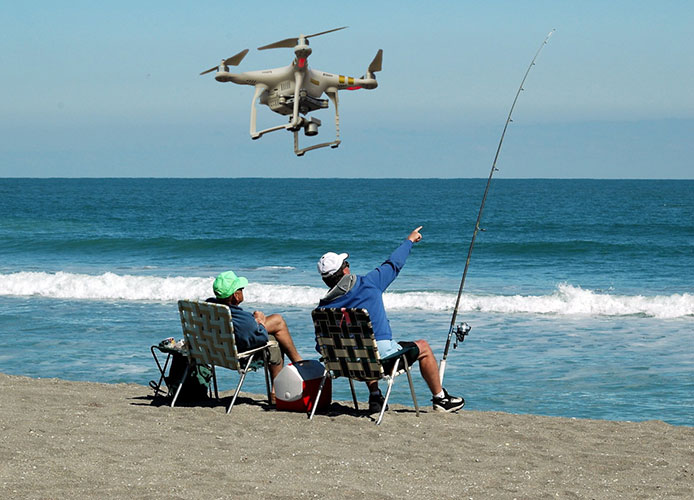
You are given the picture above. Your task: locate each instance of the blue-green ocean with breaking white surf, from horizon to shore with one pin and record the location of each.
(580, 293)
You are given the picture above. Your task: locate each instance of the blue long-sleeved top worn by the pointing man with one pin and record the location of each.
(367, 292)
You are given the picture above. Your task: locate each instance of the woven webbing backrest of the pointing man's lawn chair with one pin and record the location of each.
(346, 340)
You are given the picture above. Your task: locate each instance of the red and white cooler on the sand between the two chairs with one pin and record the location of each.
(296, 386)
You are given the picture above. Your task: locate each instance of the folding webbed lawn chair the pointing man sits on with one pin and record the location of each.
(348, 347)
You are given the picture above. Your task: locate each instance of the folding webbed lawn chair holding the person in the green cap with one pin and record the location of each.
(208, 331)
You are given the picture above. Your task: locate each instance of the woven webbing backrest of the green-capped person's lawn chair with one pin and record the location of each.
(209, 333)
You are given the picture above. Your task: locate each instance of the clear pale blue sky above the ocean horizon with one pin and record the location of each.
(112, 89)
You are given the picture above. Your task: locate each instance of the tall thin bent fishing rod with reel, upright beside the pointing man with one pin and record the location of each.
(462, 330)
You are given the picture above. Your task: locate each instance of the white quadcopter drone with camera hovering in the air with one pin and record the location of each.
(296, 90)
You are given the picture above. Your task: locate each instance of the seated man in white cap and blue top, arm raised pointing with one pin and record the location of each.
(366, 292)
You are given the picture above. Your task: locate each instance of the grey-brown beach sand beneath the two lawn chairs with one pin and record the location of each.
(63, 439)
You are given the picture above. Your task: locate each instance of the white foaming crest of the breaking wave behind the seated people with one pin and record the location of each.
(564, 300)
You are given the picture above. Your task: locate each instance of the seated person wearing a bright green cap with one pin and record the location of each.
(254, 330)
